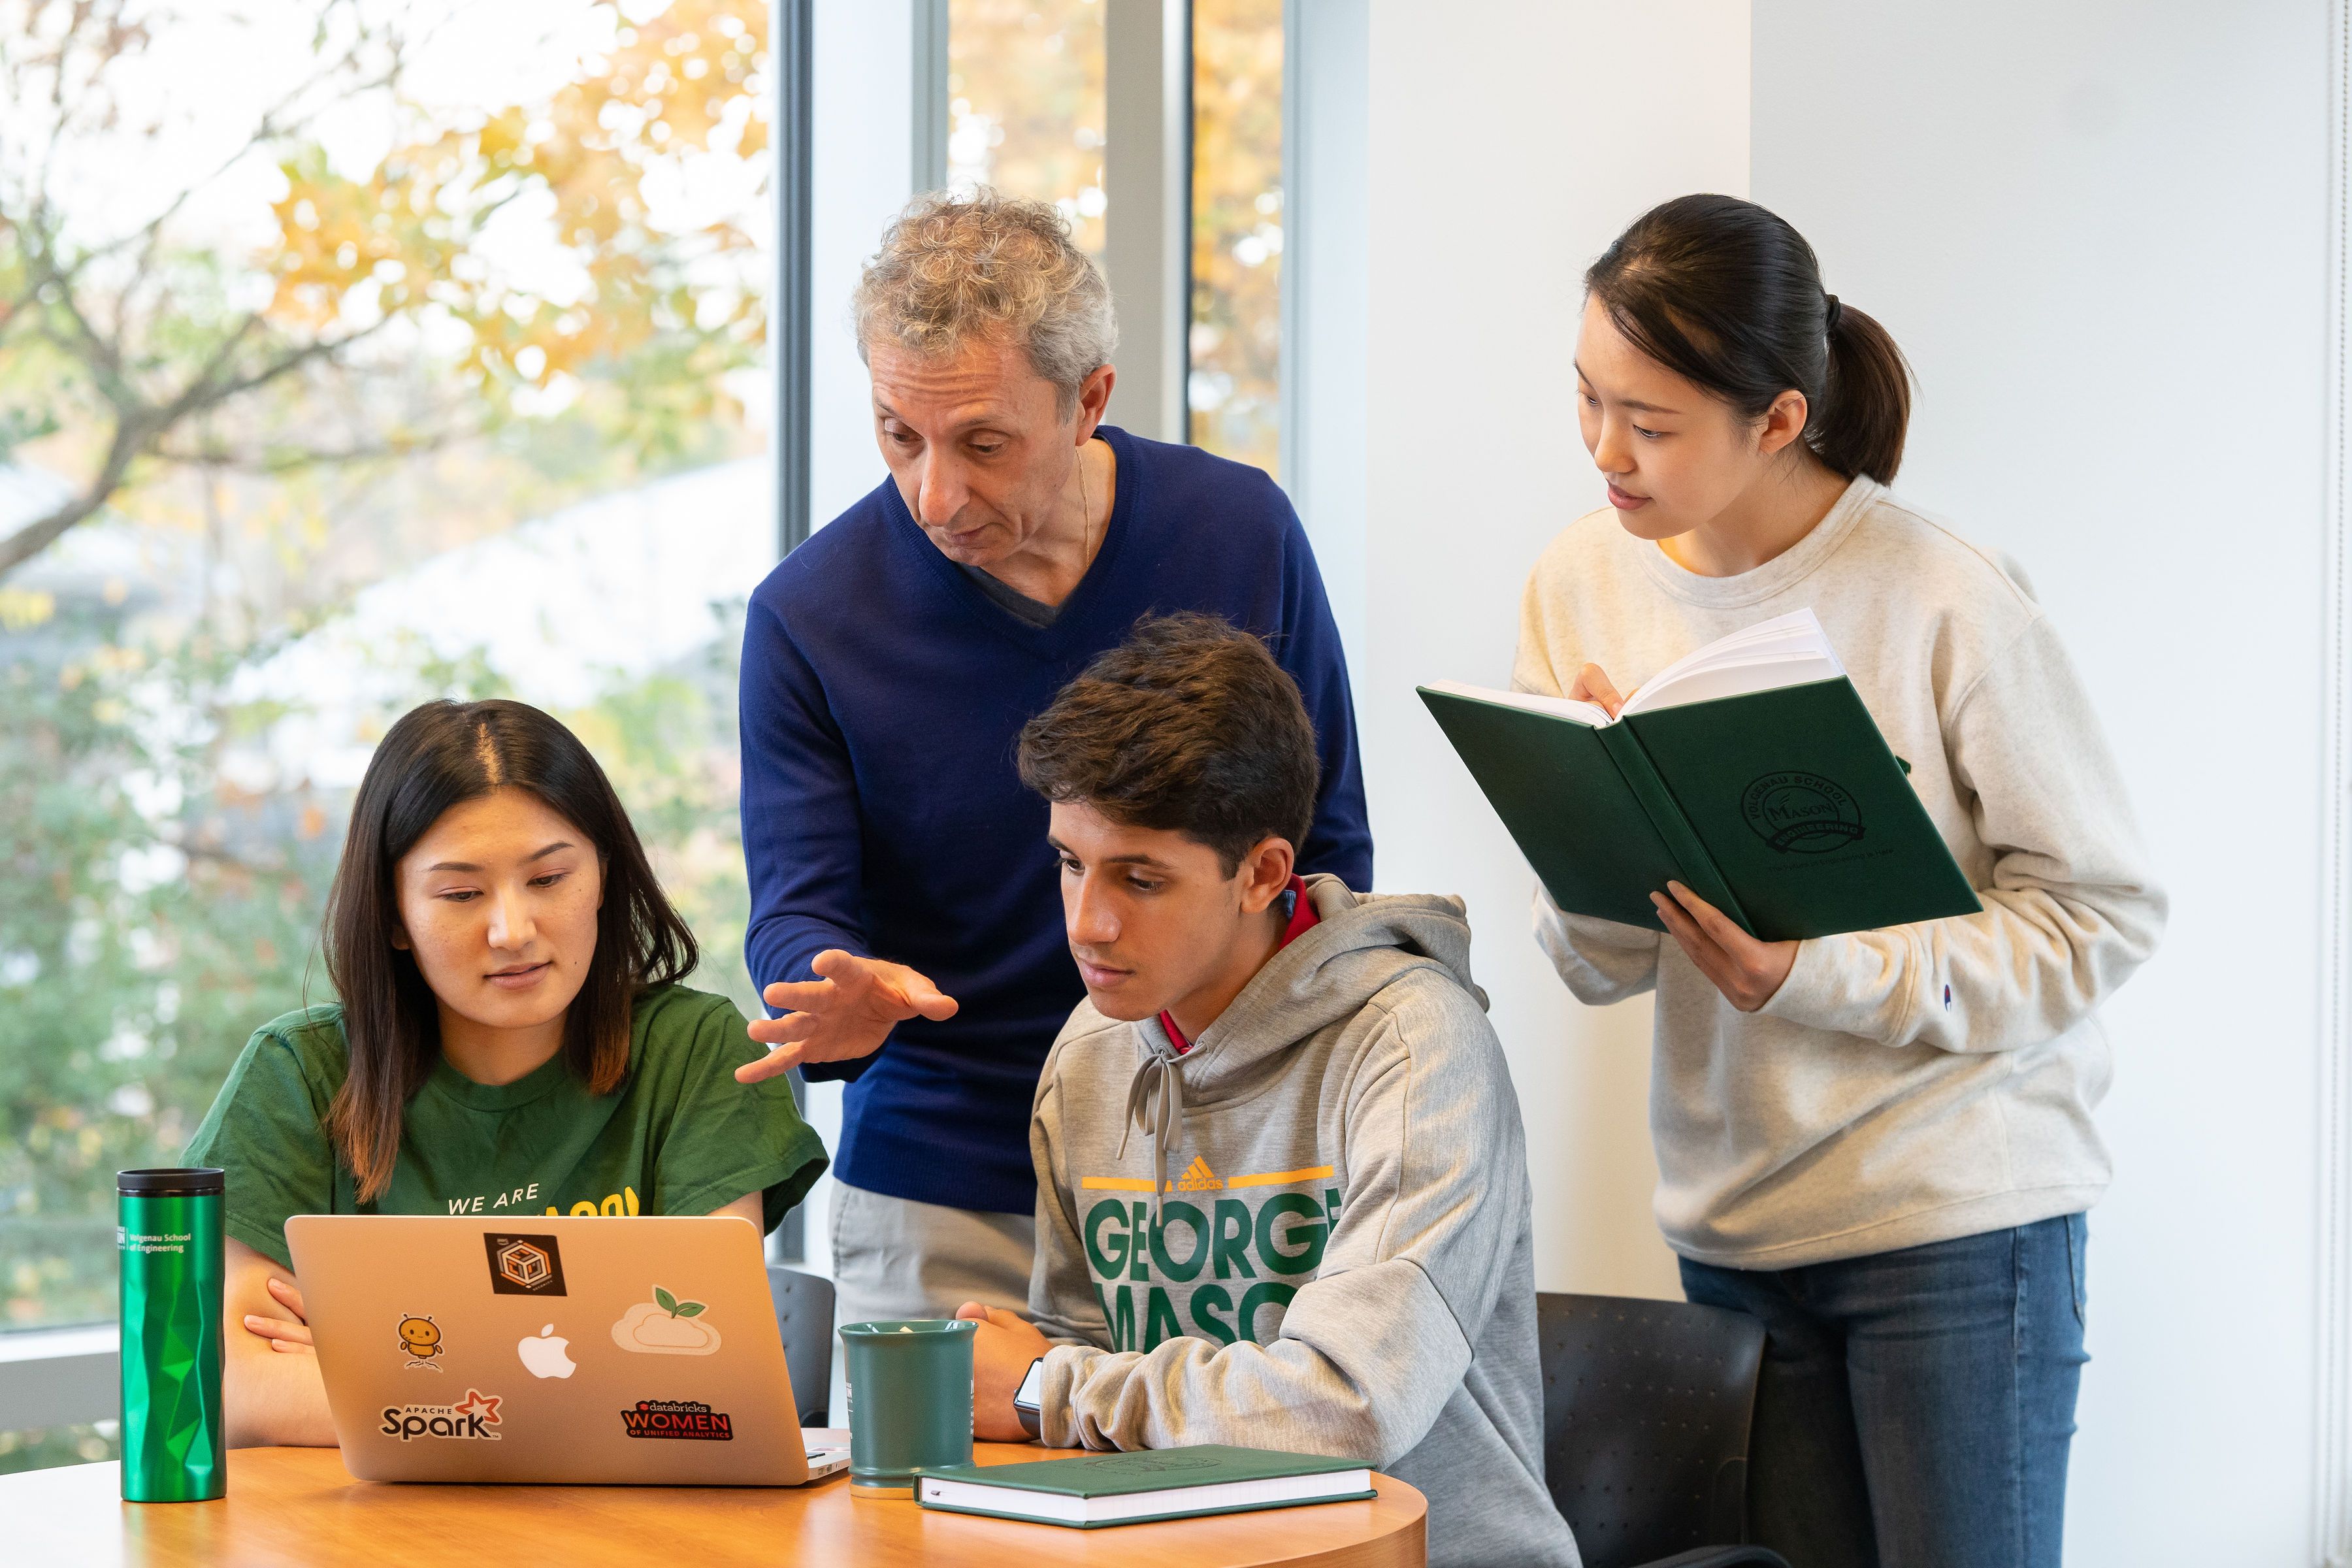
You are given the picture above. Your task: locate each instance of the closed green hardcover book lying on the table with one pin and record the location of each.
(1102, 1489)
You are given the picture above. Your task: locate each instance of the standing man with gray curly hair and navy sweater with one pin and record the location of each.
(907, 918)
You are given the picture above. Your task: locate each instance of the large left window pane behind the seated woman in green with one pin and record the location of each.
(349, 356)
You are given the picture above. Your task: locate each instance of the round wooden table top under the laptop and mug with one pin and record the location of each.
(300, 1508)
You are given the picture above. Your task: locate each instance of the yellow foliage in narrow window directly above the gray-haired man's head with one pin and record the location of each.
(1027, 105)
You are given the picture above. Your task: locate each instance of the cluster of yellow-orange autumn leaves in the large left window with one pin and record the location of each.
(408, 236)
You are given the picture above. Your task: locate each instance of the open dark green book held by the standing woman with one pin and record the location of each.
(1749, 772)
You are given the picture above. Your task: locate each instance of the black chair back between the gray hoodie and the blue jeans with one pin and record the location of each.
(1645, 1430)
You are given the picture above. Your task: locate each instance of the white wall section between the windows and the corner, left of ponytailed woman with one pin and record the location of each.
(1504, 156)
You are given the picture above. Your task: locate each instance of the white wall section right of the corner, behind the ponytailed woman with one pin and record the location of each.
(2102, 232)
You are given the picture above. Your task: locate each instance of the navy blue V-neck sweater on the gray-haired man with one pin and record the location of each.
(883, 697)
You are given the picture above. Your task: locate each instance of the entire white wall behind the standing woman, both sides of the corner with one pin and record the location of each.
(2102, 236)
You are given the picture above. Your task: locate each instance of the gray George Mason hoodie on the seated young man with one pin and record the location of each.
(1344, 1254)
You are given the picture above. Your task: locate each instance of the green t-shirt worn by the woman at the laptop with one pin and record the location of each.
(676, 1137)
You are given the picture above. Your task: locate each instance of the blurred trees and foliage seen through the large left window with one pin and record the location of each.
(166, 850)
